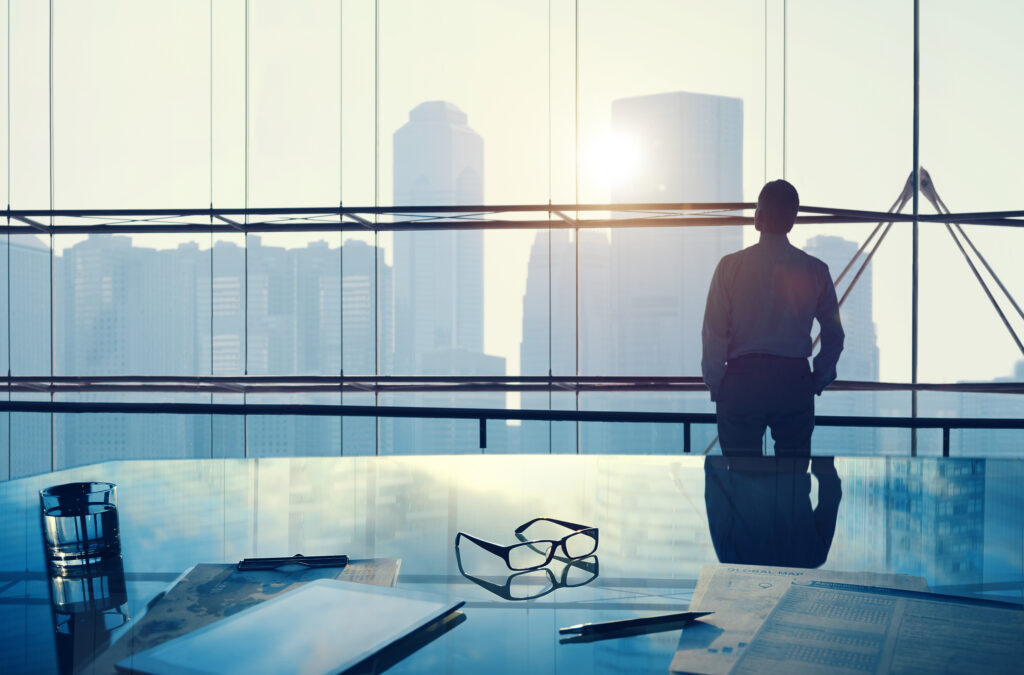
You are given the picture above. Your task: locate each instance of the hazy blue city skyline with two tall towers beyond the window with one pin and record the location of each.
(639, 292)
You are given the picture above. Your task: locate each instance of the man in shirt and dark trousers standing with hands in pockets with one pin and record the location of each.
(757, 334)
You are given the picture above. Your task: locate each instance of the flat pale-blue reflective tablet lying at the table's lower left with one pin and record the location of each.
(325, 627)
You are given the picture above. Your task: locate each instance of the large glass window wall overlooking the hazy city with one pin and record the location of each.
(266, 104)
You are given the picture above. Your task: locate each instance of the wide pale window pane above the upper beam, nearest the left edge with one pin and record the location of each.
(132, 105)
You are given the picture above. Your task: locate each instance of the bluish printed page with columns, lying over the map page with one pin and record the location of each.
(824, 627)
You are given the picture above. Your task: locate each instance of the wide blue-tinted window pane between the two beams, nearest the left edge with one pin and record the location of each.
(124, 308)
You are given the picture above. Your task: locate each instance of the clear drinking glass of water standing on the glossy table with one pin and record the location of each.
(80, 523)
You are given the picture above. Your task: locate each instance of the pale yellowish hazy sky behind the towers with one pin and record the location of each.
(150, 112)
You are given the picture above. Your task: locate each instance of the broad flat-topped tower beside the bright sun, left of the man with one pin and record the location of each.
(690, 149)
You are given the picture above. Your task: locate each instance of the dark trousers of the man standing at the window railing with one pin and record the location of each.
(764, 391)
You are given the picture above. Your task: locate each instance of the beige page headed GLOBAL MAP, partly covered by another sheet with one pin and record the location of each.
(742, 598)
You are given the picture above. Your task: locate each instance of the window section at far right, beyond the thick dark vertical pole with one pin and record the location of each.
(971, 153)
